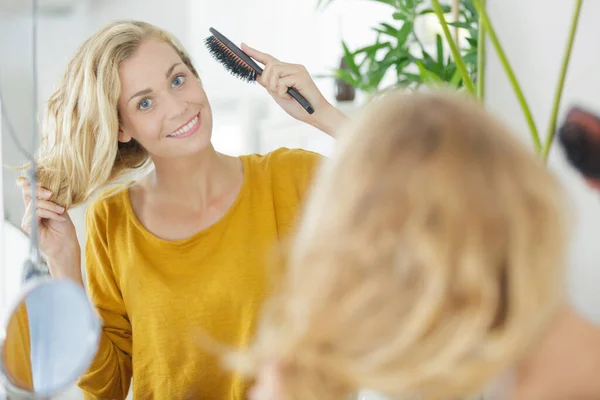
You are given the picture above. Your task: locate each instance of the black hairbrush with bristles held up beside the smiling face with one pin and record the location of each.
(241, 65)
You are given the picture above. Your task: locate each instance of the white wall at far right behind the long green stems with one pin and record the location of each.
(534, 34)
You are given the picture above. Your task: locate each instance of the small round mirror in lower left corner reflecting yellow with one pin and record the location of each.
(50, 340)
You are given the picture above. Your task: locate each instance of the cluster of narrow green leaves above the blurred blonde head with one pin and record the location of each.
(367, 66)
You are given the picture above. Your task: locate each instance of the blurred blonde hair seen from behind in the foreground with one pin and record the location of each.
(428, 259)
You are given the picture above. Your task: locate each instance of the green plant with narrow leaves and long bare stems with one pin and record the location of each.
(464, 68)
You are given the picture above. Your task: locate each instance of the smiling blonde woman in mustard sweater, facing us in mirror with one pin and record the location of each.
(182, 249)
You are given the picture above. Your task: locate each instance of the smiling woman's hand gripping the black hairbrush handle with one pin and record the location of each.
(278, 76)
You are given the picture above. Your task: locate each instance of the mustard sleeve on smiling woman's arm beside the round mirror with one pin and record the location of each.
(109, 376)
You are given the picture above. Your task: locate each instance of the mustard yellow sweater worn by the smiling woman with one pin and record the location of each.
(154, 296)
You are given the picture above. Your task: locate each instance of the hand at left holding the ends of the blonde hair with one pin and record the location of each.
(57, 236)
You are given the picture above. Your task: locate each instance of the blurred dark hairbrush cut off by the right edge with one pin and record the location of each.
(579, 136)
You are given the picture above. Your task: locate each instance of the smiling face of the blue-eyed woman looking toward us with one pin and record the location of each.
(162, 105)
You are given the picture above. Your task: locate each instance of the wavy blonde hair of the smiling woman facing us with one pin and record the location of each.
(80, 152)
